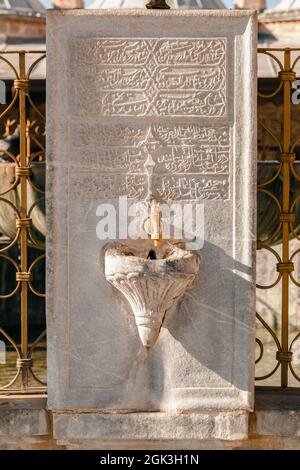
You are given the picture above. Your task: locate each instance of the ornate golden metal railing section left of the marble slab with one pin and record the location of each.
(21, 216)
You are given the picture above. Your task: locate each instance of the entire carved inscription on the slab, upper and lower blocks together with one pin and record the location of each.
(120, 78)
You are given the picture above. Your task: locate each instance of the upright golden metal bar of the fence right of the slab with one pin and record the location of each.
(285, 209)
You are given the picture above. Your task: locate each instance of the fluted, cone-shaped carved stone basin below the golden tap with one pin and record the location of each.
(152, 281)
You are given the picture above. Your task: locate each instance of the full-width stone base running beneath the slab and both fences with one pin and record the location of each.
(25, 423)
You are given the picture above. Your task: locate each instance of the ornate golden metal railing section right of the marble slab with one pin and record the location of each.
(282, 190)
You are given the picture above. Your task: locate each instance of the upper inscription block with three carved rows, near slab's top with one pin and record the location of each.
(152, 77)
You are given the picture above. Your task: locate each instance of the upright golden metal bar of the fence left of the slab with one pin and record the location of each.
(23, 213)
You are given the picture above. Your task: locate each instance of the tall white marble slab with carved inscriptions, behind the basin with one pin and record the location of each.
(179, 86)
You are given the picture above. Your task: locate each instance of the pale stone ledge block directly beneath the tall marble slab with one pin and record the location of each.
(150, 426)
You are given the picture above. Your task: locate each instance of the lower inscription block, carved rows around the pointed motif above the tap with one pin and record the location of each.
(189, 161)
